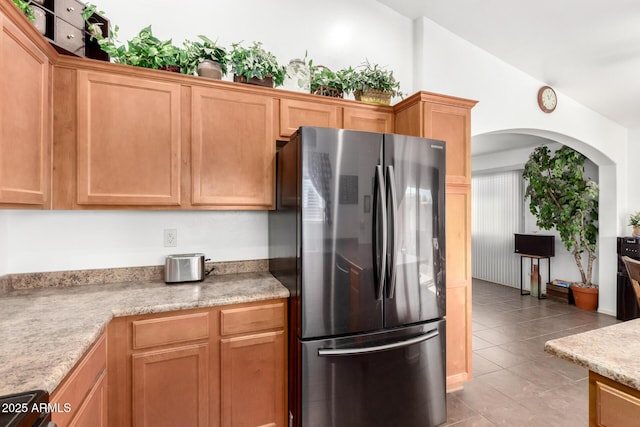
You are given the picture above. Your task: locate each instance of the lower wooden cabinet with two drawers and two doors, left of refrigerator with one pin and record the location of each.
(203, 367)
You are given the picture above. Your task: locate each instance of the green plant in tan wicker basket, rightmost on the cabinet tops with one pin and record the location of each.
(372, 83)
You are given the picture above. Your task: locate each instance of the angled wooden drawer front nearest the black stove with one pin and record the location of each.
(77, 385)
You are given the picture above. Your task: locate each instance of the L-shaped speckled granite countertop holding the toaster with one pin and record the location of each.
(44, 332)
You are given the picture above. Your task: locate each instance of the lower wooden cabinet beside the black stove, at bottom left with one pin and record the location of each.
(82, 396)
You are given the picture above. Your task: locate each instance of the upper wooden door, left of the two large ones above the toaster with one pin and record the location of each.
(128, 140)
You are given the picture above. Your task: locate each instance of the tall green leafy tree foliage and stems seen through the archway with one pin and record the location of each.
(562, 197)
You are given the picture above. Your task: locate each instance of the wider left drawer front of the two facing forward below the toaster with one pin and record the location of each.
(170, 330)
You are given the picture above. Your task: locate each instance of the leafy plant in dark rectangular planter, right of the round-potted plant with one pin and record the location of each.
(255, 65)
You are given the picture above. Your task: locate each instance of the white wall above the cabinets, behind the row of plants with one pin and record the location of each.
(334, 33)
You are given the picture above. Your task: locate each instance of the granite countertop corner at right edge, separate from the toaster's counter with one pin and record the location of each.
(612, 351)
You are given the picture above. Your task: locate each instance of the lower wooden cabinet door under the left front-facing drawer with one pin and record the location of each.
(171, 387)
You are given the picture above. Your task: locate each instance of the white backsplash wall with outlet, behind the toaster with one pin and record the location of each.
(35, 241)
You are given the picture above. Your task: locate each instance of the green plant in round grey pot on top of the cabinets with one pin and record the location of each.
(207, 58)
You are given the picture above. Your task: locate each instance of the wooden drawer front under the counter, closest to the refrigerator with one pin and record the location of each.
(250, 319)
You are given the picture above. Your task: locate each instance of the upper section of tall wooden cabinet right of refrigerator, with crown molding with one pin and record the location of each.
(440, 117)
